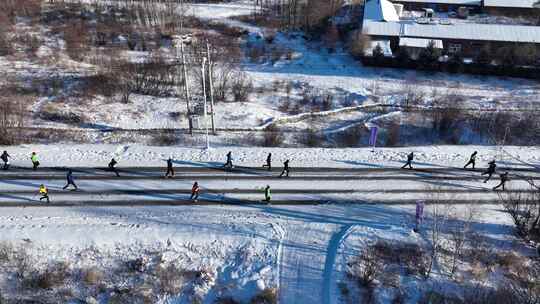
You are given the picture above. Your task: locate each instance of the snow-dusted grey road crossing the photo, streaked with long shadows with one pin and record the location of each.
(244, 185)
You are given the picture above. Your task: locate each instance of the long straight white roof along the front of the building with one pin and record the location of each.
(460, 31)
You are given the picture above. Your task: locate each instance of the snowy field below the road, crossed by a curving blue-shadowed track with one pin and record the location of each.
(302, 251)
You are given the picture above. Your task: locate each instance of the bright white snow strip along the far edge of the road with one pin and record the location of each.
(137, 155)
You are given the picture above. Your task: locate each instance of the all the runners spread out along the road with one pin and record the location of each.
(195, 190)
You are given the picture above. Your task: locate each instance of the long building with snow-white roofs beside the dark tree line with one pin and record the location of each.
(451, 35)
